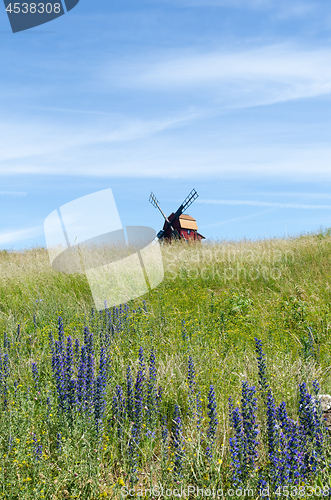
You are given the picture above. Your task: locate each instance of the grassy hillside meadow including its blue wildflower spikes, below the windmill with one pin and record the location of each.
(112, 404)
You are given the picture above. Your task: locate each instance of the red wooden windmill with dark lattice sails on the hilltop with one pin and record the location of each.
(178, 225)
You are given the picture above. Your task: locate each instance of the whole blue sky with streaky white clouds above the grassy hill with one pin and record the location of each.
(232, 98)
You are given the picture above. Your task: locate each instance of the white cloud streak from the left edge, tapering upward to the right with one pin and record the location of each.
(41, 138)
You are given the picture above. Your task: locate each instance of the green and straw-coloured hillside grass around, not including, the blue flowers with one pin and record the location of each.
(227, 293)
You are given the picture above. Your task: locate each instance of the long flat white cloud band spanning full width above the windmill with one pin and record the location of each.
(173, 158)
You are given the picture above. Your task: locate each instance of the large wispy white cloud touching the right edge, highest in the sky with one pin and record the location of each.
(241, 77)
